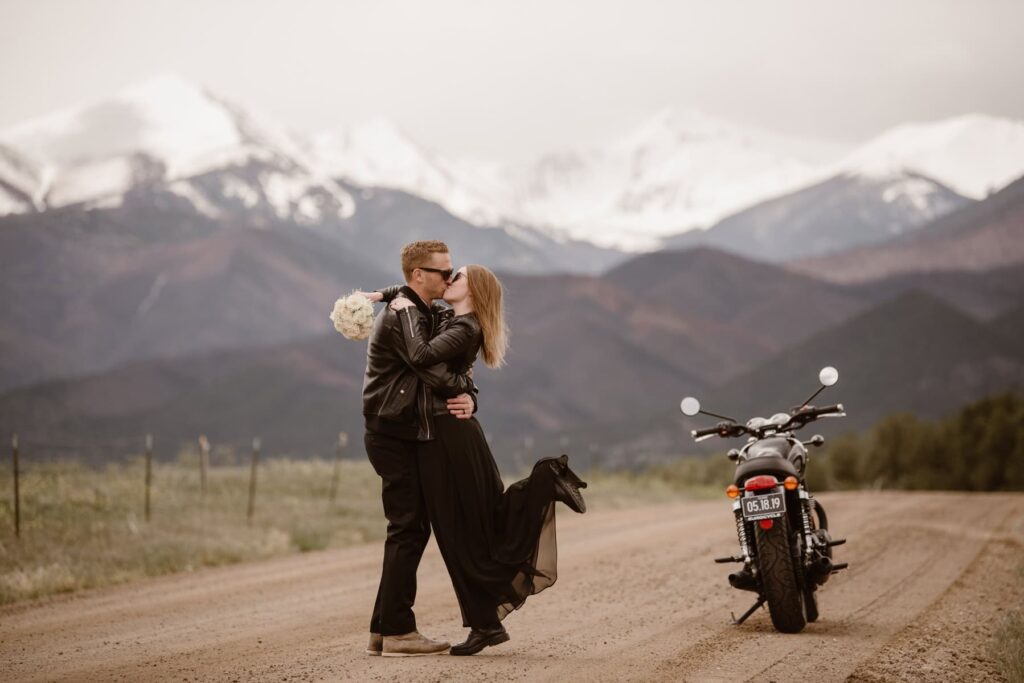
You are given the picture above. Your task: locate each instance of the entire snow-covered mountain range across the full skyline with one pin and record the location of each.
(677, 172)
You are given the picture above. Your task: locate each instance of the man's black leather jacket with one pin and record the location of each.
(397, 397)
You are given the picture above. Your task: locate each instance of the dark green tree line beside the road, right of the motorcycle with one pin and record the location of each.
(980, 448)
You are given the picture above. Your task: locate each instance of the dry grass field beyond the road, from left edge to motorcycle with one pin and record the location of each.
(86, 528)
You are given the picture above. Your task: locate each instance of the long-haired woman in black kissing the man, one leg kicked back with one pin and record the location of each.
(499, 546)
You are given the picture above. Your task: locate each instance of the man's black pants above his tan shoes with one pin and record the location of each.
(408, 532)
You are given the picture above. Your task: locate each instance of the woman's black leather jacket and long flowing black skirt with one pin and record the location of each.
(499, 546)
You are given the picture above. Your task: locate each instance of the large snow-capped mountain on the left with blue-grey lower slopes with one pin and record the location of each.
(168, 160)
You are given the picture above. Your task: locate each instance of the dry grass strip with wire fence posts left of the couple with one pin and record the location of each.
(72, 521)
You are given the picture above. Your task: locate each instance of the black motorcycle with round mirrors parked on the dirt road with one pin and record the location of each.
(785, 544)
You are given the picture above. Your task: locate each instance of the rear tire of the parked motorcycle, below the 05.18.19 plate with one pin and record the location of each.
(779, 577)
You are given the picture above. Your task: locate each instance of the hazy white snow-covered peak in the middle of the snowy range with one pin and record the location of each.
(677, 172)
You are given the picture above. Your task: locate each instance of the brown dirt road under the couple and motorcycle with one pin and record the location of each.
(638, 599)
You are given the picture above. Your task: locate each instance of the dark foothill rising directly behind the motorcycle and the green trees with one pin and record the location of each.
(956, 360)
